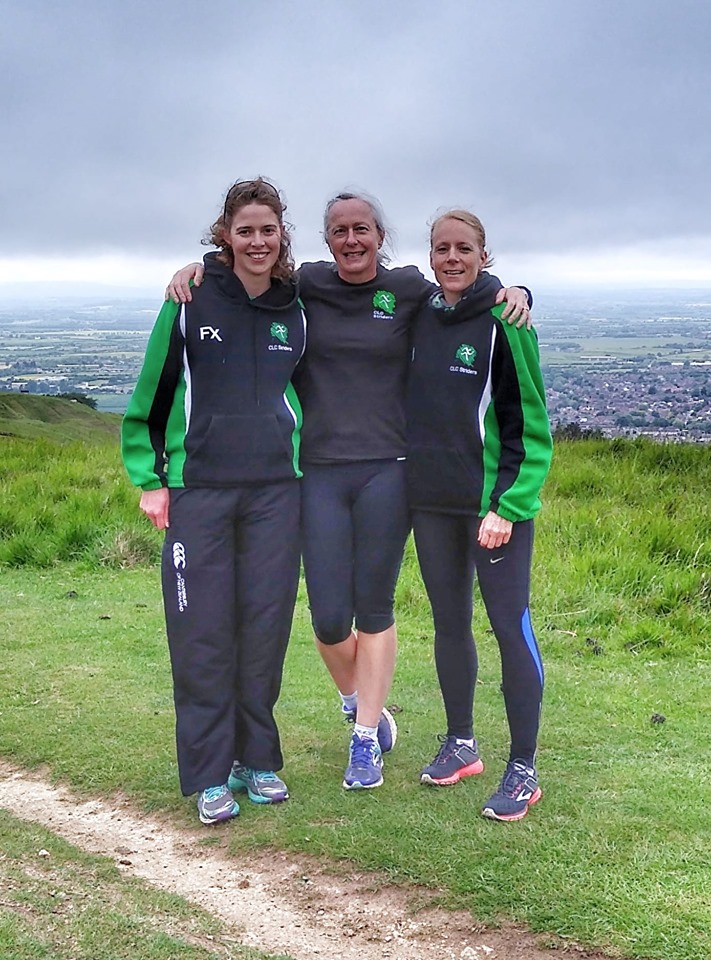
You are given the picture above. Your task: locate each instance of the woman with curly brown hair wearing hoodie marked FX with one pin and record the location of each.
(212, 436)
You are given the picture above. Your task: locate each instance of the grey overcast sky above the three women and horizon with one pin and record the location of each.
(578, 130)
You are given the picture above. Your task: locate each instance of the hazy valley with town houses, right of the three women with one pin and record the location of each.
(627, 366)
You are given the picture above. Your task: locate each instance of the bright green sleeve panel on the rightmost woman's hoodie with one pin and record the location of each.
(521, 501)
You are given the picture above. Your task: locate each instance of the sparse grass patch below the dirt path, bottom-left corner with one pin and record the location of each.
(69, 905)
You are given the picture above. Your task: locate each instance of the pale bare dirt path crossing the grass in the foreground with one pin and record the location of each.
(277, 903)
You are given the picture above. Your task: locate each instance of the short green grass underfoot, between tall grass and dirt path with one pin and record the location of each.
(617, 853)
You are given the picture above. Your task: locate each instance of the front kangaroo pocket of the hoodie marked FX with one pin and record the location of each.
(240, 449)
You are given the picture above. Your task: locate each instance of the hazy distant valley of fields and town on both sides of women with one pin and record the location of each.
(616, 364)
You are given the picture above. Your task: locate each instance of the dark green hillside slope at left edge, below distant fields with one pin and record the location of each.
(52, 418)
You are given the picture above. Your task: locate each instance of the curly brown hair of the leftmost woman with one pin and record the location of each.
(241, 194)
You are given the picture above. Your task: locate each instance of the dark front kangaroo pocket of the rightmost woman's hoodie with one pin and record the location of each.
(438, 478)
